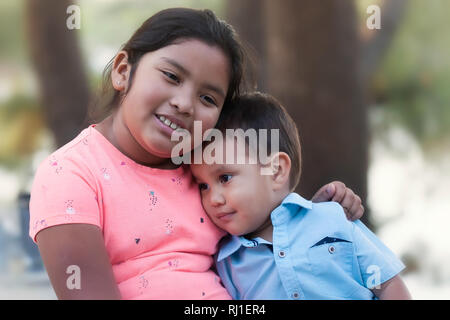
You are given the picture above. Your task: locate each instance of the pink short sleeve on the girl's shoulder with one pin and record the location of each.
(63, 192)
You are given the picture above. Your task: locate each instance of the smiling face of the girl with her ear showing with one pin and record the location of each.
(172, 87)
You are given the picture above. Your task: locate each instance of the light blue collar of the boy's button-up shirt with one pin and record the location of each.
(230, 244)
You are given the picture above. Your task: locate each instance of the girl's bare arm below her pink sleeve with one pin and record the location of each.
(81, 246)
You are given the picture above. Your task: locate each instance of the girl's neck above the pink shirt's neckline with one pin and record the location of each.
(120, 137)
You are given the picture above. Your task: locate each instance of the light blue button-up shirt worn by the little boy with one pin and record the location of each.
(316, 254)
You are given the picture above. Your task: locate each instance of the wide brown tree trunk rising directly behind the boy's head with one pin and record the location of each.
(312, 55)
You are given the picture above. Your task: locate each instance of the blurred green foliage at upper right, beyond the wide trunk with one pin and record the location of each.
(413, 83)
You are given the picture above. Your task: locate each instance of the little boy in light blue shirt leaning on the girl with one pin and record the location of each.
(283, 246)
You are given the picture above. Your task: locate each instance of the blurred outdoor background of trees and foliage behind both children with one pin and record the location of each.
(372, 106)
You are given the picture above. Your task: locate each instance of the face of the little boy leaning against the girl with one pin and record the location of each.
(236, 197)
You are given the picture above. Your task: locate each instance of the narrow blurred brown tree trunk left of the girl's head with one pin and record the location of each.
(60, 72)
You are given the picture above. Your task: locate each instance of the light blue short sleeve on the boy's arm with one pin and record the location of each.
(377, 262)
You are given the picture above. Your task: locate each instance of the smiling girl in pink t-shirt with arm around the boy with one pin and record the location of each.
(112, 215)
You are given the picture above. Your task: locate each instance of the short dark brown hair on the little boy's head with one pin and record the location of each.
(258, 110)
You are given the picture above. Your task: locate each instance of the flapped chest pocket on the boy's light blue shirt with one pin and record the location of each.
(332, 260)
